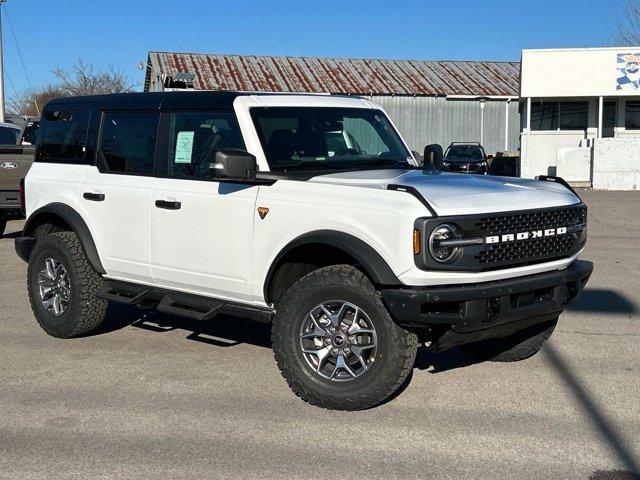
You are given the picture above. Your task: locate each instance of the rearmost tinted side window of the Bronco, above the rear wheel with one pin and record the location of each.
(64, 136)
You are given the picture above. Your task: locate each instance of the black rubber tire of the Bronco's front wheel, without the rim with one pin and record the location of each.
(394, 358)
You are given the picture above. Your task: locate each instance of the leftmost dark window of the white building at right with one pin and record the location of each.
(559, 116)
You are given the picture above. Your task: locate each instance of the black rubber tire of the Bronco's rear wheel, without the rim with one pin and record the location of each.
(85, 311)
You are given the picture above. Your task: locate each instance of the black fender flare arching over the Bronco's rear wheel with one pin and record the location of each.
(71, 218)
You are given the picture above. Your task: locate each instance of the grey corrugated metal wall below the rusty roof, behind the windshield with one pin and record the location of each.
(425, 120)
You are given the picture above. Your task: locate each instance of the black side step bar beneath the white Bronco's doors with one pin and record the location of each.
(191, 306)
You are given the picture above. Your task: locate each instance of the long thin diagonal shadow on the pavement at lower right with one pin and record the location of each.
(609, 433)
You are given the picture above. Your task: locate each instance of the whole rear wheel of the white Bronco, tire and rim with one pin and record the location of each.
(63, 286)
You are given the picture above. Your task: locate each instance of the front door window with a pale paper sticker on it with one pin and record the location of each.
(195, 136)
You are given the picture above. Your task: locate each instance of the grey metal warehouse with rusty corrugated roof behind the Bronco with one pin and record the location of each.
(429, 101)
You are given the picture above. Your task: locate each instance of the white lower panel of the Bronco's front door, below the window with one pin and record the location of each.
(205, 247)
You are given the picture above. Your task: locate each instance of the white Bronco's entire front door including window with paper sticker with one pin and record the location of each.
(201, 229)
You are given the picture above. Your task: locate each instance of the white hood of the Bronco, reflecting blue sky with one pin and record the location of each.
(458, 194)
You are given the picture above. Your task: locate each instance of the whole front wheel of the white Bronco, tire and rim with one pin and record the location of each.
(335, 343)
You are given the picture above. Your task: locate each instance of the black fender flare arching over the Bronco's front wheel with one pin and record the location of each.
(370, 260)
